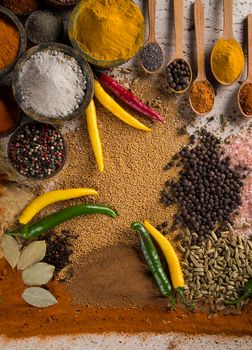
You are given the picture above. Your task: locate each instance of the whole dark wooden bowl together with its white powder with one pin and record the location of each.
(52, 83)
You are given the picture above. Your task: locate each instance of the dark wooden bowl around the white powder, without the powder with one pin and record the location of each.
(85, 68)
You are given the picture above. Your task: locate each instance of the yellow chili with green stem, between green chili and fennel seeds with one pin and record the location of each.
(172, 259)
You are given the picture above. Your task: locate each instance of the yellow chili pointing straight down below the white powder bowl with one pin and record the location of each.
(94, 135)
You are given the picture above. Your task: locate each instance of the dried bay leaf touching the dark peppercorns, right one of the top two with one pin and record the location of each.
(32, 254)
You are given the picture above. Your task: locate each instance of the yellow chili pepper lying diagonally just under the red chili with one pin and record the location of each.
(110, 104)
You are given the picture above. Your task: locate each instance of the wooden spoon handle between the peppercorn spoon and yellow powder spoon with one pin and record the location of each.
(200, 28)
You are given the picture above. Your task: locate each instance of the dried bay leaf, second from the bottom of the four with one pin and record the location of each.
(38, 274)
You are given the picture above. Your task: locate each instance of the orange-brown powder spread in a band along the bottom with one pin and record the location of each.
(18, 319)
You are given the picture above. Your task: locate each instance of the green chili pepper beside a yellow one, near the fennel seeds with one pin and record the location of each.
(153, 261)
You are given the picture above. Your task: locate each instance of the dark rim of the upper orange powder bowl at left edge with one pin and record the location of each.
(23, 39)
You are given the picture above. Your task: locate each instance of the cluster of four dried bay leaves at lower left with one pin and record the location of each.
(34, 272)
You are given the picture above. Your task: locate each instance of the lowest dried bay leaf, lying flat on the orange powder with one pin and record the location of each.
(38, 297)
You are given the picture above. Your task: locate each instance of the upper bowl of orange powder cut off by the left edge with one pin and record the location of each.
(12, 39)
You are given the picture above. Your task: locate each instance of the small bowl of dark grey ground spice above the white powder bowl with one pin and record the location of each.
(43, 26)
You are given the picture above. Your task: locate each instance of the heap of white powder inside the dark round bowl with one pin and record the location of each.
(52, 84)
